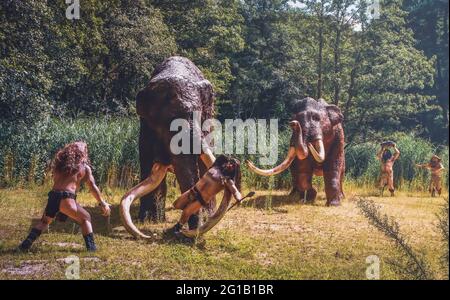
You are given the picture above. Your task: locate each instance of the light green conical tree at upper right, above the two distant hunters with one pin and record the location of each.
(391, 79)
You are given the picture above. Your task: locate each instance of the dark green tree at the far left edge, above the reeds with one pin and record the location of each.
(25, 79)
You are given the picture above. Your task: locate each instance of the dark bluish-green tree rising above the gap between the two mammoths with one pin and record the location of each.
(261, 88)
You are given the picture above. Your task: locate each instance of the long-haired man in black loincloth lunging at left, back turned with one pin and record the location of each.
(70, 168)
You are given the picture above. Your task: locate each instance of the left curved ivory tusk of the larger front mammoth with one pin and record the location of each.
(146, 186)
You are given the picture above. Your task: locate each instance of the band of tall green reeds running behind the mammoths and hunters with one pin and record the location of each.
(113, 149)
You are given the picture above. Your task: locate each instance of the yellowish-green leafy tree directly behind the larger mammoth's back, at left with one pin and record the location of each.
(118, 44)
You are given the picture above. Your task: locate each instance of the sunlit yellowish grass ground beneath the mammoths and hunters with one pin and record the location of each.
(287, 241)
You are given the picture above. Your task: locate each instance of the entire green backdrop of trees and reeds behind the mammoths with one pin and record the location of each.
(386, 74)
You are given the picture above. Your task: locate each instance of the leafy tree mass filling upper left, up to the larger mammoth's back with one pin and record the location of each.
(92, 65)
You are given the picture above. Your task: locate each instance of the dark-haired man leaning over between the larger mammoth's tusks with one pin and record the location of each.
(224, 173)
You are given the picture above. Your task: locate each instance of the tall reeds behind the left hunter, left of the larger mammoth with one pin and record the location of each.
(112, 145)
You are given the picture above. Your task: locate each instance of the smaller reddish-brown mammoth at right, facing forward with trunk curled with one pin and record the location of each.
(316, 148)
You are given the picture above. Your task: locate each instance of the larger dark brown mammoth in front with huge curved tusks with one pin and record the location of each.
(176, 90)
